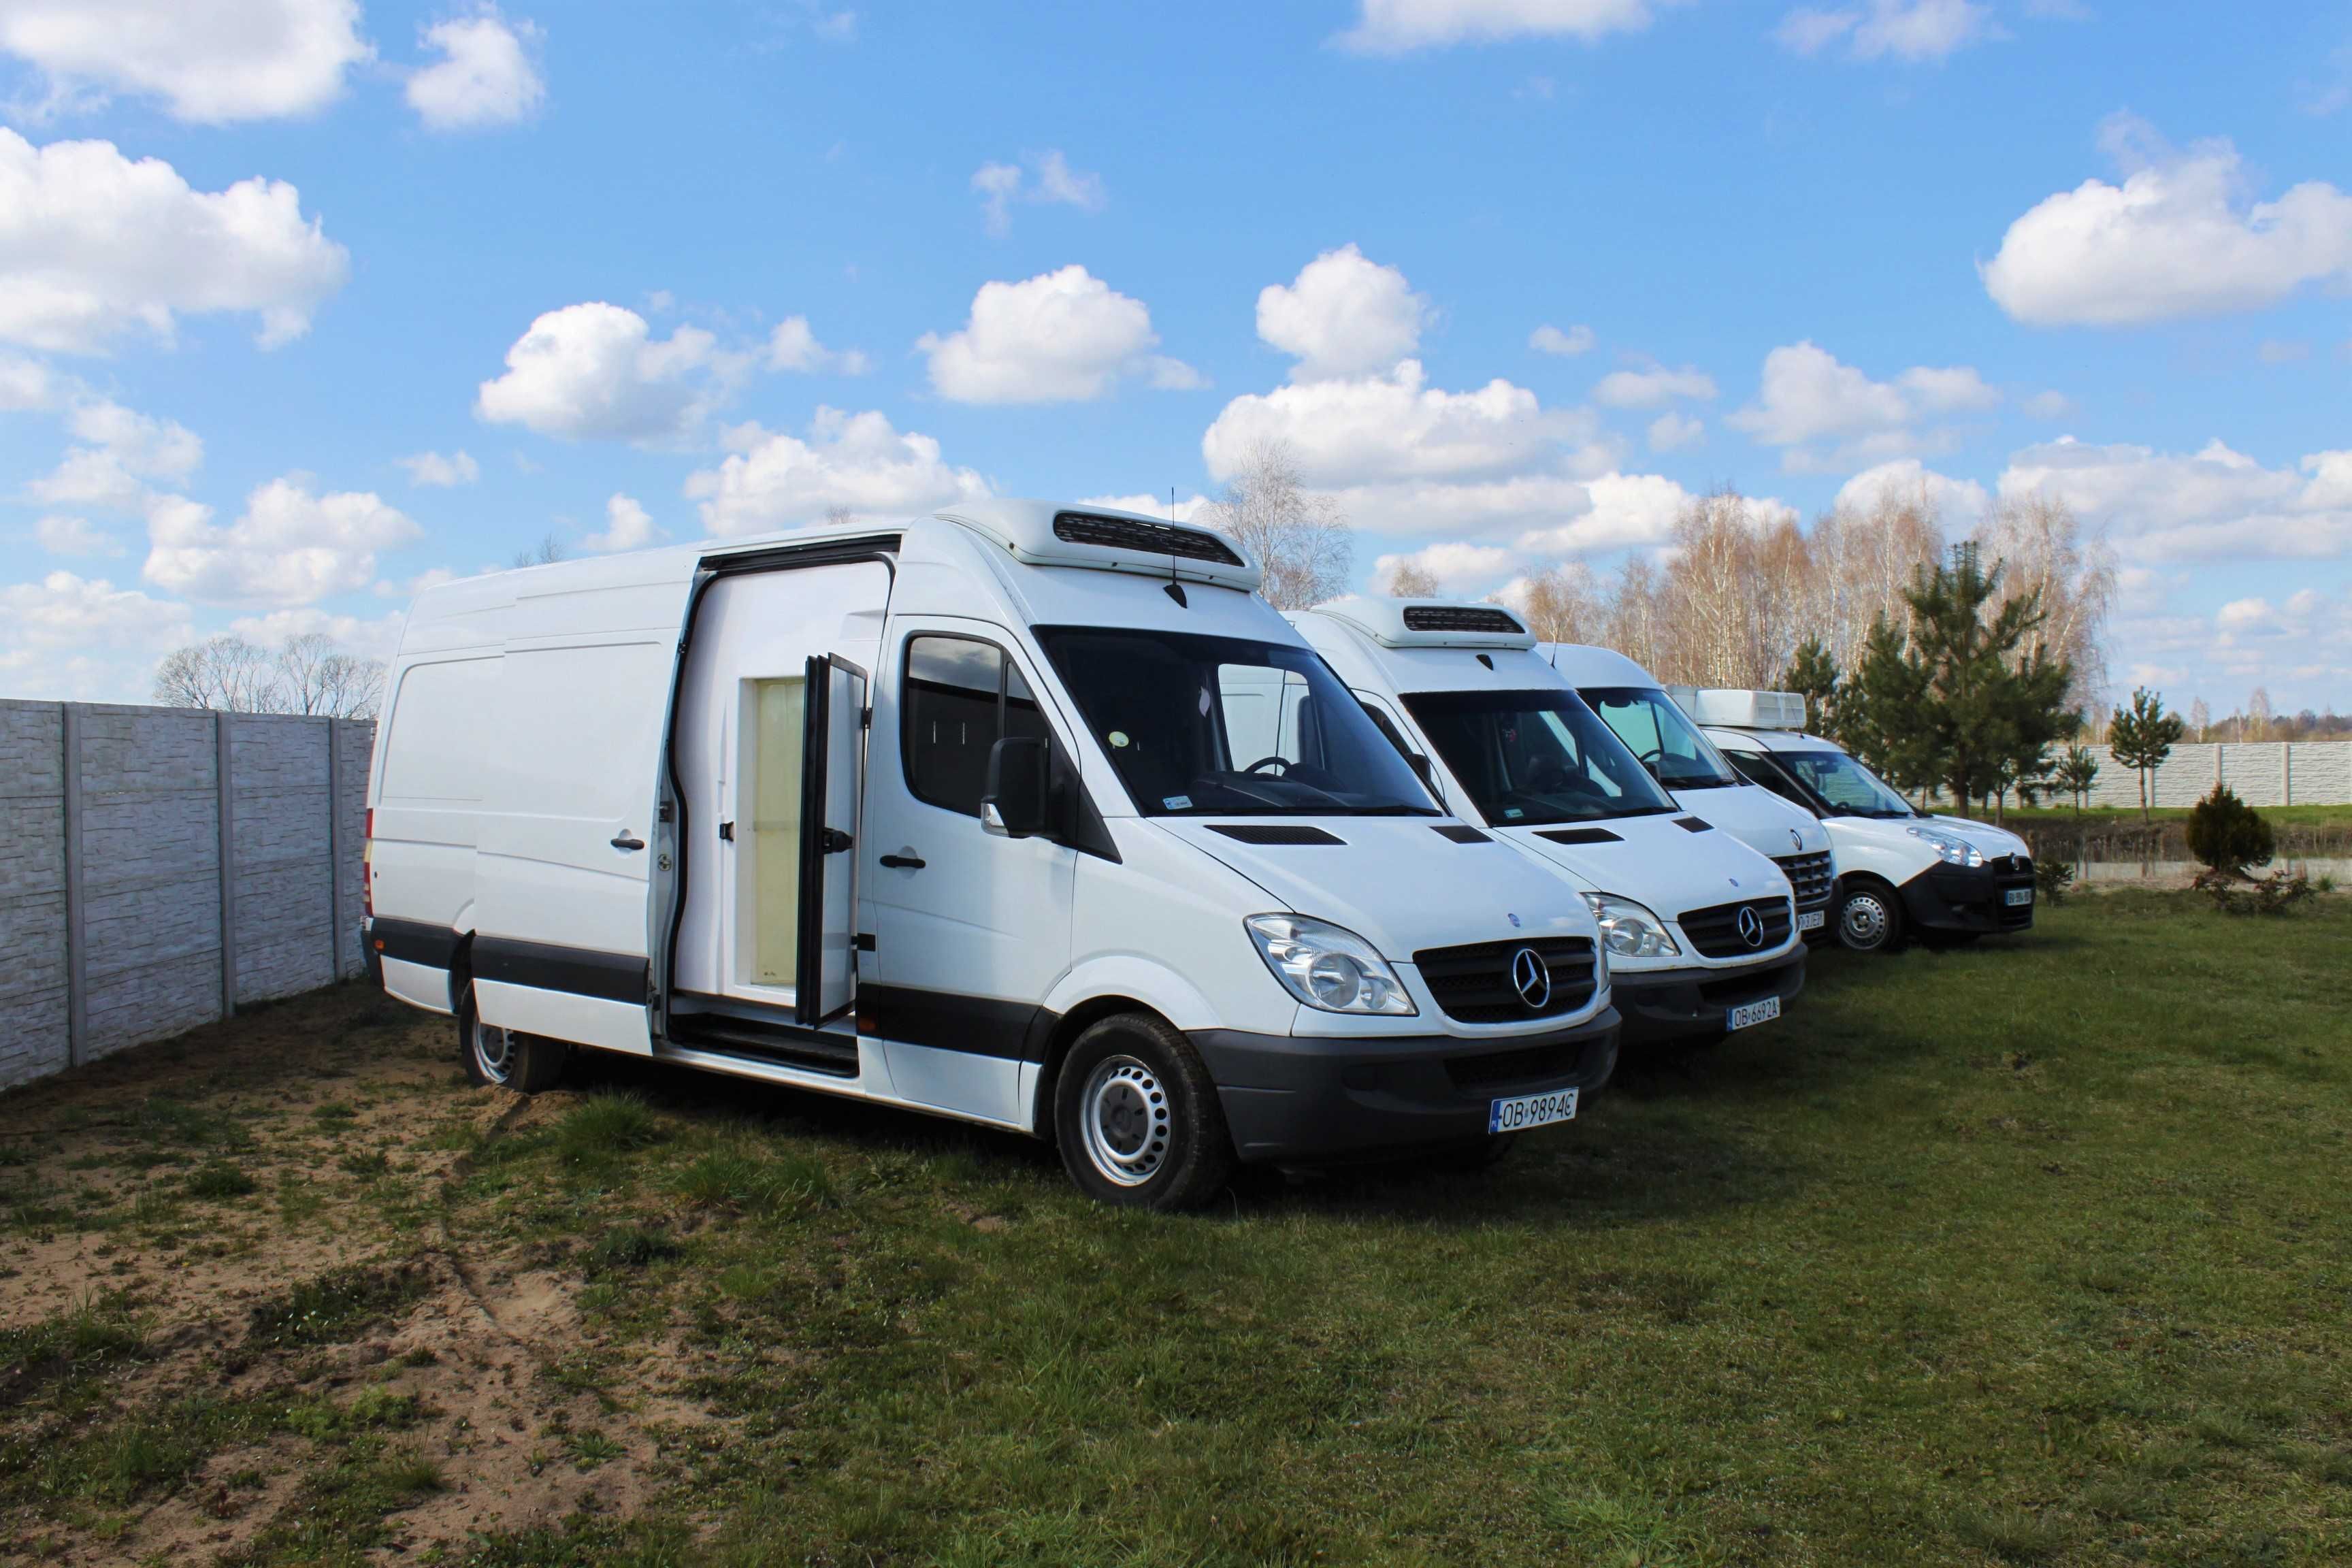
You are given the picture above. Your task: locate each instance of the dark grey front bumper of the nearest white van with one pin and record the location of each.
(1302, 1099)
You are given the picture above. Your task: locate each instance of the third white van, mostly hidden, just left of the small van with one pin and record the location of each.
(1699, 777)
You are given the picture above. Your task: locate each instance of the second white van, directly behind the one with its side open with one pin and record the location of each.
(1699, 927)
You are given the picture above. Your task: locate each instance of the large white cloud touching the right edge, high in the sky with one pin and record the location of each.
(2177, 239)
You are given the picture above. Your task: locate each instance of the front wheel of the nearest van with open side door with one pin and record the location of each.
(1140, 1120)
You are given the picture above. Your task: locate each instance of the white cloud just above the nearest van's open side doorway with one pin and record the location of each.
(775, 481)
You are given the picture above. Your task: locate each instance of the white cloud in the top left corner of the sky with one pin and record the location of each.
(208, 62)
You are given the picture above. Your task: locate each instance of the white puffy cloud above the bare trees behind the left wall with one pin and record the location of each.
(290, 547)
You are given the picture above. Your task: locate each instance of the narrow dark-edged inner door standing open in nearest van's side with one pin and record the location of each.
(831, 784)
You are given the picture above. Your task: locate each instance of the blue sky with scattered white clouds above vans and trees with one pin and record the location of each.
(305, 300)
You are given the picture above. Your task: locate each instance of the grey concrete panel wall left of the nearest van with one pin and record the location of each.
(116, 890)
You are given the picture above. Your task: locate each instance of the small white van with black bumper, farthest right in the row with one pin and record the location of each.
(1897, 869)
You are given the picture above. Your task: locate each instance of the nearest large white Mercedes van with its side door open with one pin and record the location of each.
(951, 815)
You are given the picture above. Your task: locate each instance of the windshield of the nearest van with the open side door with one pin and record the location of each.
(1229, 728)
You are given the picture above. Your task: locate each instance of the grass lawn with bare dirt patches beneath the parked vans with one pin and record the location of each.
(2019, 1254)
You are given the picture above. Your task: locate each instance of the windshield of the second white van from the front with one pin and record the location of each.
(1532, 758)
